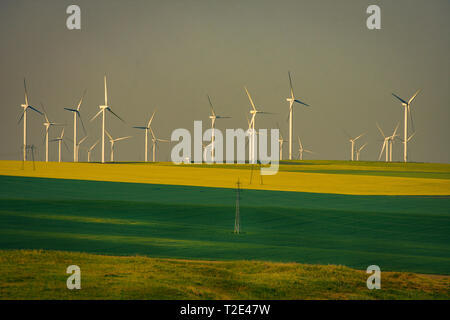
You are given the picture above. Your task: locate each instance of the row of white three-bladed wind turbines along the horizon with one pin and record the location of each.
(387, 146)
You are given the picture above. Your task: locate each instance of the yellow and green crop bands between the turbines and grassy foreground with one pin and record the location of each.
(401, 224)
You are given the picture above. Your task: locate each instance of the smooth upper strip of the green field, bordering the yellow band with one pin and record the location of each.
(63, 189)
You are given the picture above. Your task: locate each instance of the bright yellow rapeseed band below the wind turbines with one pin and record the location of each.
(222, 177)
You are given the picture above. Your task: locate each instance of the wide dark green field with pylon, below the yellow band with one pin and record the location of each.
(398, 233)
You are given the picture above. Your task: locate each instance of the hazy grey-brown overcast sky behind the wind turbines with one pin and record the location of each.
(169, 54)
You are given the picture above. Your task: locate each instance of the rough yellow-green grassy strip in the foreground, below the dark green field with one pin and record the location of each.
(27, 274)
